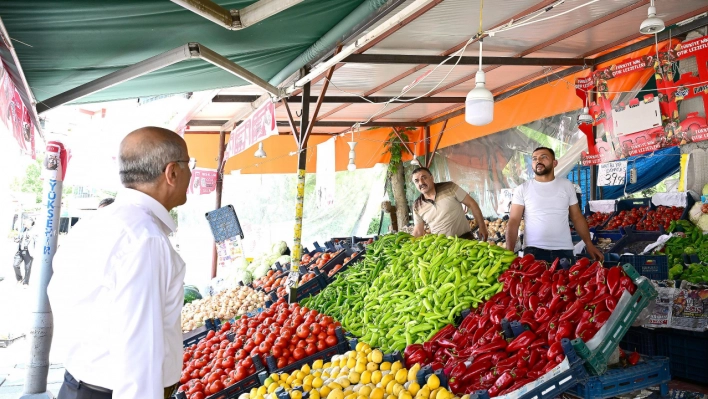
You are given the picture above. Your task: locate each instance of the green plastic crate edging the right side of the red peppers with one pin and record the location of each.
(596, 361)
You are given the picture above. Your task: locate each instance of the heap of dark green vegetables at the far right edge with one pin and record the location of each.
(694, 242)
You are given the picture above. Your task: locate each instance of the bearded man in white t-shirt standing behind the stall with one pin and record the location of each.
(545, 203)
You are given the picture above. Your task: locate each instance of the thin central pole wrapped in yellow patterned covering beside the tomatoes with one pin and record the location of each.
(300, 194)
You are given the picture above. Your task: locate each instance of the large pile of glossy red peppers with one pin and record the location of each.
(549, 302)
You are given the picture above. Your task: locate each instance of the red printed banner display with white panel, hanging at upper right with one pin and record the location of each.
(651, 122)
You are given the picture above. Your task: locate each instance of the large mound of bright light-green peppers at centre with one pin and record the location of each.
(424, 284)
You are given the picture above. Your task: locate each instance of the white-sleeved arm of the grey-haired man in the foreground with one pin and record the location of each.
(137, 339)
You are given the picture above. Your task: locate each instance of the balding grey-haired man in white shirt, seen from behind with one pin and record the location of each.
(120, 270)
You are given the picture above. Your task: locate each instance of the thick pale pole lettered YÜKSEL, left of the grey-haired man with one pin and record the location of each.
(42, 320)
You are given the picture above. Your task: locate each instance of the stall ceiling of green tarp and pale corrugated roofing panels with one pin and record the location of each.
(62, 46)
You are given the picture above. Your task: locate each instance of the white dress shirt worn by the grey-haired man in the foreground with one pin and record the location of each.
(117, 294)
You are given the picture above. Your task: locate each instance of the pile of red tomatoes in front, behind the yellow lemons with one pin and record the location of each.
(287, 332)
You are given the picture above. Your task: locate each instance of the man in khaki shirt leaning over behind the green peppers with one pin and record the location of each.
(440, 206)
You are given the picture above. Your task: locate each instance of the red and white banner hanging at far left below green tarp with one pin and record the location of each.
(14, 115)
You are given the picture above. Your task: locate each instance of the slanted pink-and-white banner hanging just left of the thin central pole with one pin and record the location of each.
(255, 128)
